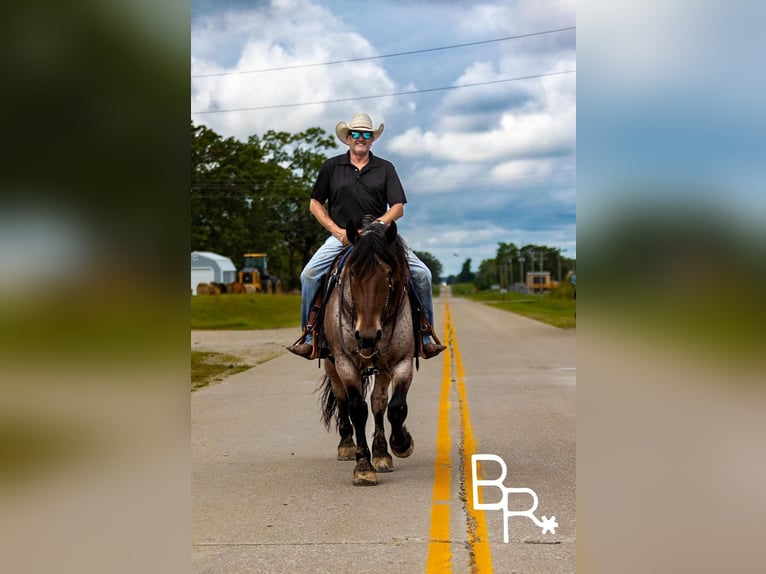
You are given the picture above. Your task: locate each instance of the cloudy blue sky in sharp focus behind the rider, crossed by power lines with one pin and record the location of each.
(480, 164)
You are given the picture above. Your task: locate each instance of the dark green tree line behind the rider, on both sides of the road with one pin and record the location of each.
(253, 196)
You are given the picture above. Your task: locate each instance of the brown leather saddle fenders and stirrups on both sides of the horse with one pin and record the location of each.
(315, 325)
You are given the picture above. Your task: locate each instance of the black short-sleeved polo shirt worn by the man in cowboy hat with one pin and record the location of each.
(352, 193)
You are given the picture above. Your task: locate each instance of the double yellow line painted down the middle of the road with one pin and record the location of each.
(439, 548)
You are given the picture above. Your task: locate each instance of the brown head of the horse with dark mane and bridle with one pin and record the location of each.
(375, 271)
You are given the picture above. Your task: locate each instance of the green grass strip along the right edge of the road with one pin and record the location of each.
(559, 312)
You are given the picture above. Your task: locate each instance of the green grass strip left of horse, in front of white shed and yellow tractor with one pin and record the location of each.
(246, 312)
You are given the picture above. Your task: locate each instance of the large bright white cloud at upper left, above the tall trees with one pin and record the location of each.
(287, 34)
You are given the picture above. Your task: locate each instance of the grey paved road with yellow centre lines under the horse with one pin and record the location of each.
(269, 496)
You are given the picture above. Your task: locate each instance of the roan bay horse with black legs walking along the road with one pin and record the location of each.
(368, 326)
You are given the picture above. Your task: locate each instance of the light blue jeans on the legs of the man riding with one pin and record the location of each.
(320, 263)
